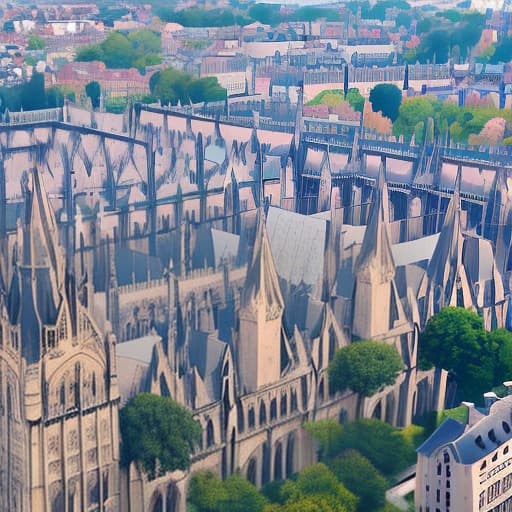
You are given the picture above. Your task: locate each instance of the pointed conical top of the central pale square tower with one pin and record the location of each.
(262, 284)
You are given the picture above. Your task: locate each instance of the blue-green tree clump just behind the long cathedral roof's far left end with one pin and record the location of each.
(171, 86)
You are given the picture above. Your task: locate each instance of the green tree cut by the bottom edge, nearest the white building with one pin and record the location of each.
(361, 478)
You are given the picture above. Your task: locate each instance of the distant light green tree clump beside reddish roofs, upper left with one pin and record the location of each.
(138, 49)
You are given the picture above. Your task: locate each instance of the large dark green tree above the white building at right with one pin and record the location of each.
(455, 339)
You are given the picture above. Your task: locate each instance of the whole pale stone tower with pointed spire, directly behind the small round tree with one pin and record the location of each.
(376, 305)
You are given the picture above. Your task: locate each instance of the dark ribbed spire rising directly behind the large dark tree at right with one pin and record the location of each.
(445, 282)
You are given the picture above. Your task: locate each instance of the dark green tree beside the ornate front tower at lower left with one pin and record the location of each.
(158, 434)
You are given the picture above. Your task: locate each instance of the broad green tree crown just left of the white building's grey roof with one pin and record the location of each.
(381, 443)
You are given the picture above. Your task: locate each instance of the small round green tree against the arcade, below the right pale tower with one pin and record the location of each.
(364, 367)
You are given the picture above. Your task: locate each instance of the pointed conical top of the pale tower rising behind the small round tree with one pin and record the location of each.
(376, 247)
